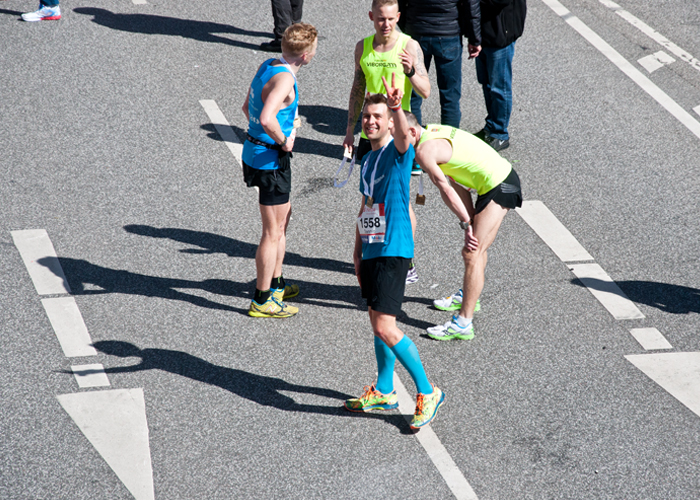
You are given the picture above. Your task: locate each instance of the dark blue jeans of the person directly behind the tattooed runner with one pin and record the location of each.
(447, 52)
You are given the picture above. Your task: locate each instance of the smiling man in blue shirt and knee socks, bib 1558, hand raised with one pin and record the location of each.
(383, 250)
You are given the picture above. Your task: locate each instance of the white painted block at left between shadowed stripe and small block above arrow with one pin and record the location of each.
(68, 324)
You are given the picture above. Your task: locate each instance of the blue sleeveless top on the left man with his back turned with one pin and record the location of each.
(256, 156)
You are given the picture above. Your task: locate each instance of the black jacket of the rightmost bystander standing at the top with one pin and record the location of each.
(502, 22)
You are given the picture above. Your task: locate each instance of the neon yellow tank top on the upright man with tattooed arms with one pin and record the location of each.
(378, 64)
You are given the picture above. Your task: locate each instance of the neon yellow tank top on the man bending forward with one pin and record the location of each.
(474, 164)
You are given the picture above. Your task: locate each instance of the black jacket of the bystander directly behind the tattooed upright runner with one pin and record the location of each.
(441, 18)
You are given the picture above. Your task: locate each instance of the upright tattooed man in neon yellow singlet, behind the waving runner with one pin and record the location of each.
(386, 52)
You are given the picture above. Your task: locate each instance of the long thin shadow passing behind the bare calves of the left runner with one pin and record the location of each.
(208, 243)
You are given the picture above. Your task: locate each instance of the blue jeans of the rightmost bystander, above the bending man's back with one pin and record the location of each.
(494, 70)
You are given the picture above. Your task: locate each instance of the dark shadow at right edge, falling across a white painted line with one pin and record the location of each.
(674, 299)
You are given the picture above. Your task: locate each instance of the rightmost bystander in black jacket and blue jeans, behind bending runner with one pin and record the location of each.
(502, 23)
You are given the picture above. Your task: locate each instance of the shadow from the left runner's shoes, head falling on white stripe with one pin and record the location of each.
(80, 273)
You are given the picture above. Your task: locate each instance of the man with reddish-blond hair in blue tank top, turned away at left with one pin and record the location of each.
(271, 109)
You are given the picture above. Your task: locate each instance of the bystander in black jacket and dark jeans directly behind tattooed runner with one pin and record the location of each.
(437, 25)
